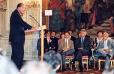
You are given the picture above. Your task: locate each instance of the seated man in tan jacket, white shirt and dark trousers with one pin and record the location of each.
(66, 47)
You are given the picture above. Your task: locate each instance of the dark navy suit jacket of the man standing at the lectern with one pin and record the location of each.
(17, 27)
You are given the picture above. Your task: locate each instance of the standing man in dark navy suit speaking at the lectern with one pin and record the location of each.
(17, 35)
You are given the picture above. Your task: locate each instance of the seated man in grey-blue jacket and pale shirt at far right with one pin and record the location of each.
(106, 48)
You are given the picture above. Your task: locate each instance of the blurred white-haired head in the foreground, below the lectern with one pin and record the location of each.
(35, 67)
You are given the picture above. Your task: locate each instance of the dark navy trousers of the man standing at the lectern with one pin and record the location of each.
(17, 53)
